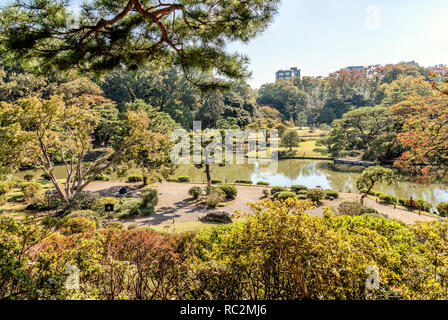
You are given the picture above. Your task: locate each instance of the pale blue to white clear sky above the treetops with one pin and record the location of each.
(322, 36)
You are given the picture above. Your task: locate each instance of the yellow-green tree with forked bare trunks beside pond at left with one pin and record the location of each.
(36, 132)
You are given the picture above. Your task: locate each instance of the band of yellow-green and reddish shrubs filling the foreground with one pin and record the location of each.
(278, 253)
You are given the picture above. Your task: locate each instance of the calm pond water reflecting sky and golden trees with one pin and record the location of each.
(304, 172)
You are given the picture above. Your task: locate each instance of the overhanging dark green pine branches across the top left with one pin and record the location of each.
(133, 33)
